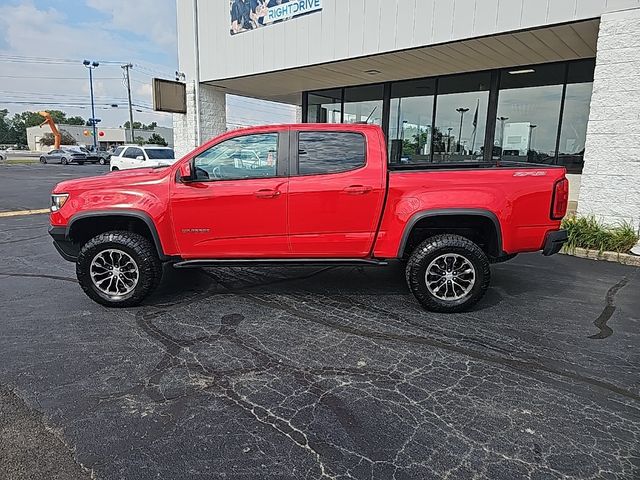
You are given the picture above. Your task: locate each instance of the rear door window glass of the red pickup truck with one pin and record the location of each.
(329, 152)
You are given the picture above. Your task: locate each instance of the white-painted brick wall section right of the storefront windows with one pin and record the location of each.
(610, 187)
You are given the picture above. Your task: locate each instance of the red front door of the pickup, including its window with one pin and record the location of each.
(237, 207)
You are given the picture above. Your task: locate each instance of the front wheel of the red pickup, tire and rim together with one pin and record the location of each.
(118, 269)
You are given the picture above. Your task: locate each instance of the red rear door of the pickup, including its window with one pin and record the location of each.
(336, 193)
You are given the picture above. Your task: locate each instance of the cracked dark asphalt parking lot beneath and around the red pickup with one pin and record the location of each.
(289, 373)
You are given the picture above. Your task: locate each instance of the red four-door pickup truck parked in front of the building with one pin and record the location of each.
(307, 194)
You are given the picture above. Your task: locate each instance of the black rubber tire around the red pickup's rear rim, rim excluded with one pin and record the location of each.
(431, 249)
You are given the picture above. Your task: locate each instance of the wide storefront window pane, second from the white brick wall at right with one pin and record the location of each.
(528, 113)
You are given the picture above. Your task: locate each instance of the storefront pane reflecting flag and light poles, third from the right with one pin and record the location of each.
(461, 114)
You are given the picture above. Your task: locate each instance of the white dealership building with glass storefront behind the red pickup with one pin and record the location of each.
(449, 81)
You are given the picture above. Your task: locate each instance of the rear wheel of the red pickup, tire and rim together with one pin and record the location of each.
(448, 273)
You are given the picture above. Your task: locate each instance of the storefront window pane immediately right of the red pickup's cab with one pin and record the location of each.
(410, 121)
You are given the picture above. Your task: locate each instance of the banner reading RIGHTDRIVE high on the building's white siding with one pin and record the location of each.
(252, 14)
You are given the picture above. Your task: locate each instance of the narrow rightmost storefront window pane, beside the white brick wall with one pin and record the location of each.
(576, 115)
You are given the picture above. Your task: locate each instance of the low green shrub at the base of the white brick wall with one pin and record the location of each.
(587, 232)
